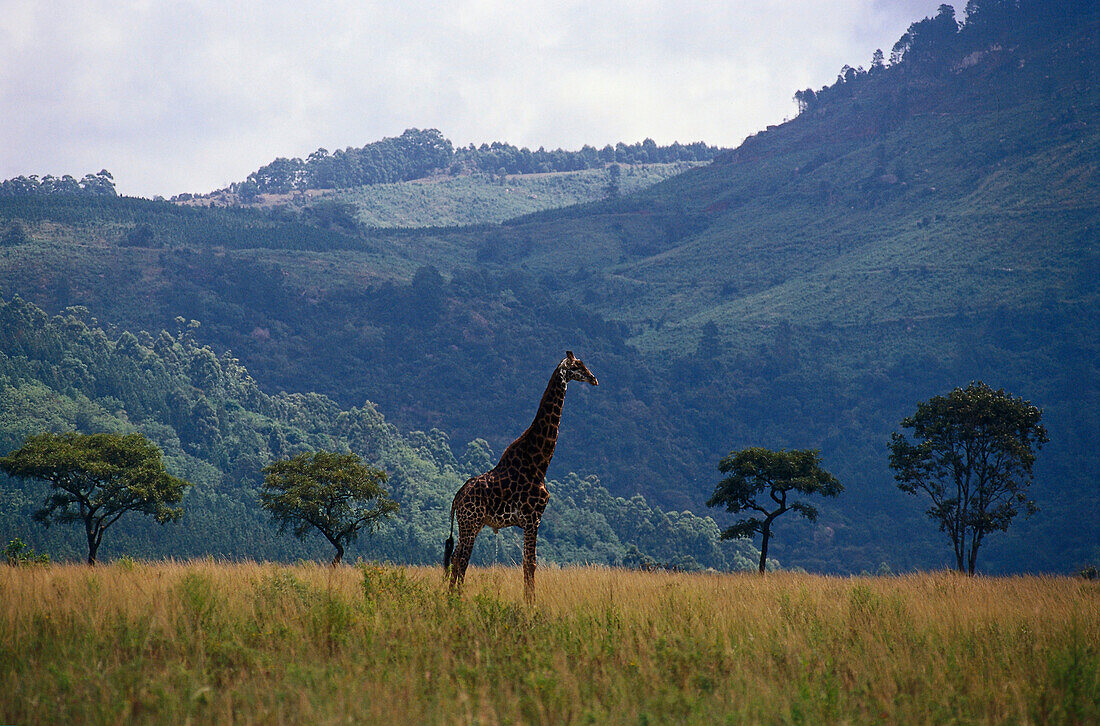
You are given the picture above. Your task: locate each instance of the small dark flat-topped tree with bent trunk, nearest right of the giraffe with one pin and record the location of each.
(756, 472)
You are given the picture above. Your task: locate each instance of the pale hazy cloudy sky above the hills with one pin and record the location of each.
(191, 96)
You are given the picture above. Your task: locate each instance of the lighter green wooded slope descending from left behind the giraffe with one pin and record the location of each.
(218, 431)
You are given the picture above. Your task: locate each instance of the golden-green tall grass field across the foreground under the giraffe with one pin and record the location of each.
(216, 643)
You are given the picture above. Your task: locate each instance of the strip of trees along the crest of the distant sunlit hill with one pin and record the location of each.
(421, 153)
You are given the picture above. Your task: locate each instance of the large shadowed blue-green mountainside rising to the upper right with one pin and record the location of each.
(920, 225)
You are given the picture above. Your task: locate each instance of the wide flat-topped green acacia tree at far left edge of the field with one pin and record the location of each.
(96, 479)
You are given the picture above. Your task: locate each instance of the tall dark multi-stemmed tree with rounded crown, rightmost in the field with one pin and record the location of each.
(972, 454)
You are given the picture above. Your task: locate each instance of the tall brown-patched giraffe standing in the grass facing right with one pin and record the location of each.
(514, 493)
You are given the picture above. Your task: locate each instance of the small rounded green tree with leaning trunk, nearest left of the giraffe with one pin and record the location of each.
(328, 492)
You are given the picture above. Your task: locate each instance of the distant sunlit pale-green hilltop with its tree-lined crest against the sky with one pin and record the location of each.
(422, 180)
